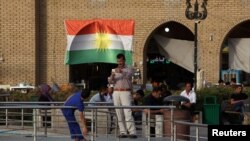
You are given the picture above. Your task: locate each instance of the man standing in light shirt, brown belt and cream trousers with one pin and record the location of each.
(121, 77)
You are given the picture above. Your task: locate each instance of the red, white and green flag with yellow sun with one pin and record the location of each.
(99, 40)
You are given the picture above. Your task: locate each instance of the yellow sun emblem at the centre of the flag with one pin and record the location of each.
(102, 41)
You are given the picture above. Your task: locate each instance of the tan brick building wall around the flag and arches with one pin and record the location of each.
(33, 37)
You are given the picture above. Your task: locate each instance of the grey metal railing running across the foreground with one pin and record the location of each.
(35, 109)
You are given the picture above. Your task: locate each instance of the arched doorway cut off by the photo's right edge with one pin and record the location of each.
(233, 63)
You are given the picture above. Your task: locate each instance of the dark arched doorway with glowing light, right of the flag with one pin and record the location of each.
(160, 64)
